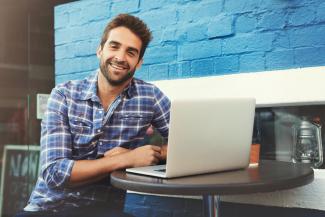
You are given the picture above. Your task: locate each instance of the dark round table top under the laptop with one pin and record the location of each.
(268, 176)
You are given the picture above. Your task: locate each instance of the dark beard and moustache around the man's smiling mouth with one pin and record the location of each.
(107, 73)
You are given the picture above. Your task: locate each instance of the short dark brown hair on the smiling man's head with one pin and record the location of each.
(134, 24)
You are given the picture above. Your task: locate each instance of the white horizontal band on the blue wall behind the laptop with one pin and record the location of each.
(302, 86)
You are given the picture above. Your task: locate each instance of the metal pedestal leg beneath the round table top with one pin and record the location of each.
(211, 206)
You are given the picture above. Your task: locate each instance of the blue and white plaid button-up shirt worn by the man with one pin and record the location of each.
(76, 127)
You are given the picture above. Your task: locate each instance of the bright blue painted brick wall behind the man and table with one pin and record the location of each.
(193, 39)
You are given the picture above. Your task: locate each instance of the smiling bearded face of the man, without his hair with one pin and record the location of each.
(119, 57)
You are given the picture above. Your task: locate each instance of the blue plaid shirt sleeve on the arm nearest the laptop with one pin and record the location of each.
(161, 113)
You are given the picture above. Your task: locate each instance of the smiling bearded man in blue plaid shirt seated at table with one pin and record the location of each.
(96, 125)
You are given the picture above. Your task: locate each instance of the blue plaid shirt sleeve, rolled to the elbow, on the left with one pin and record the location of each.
(56, 163)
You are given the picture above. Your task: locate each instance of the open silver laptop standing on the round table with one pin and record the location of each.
(206, 135)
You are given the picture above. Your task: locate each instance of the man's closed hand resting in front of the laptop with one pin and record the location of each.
(144, 156)
